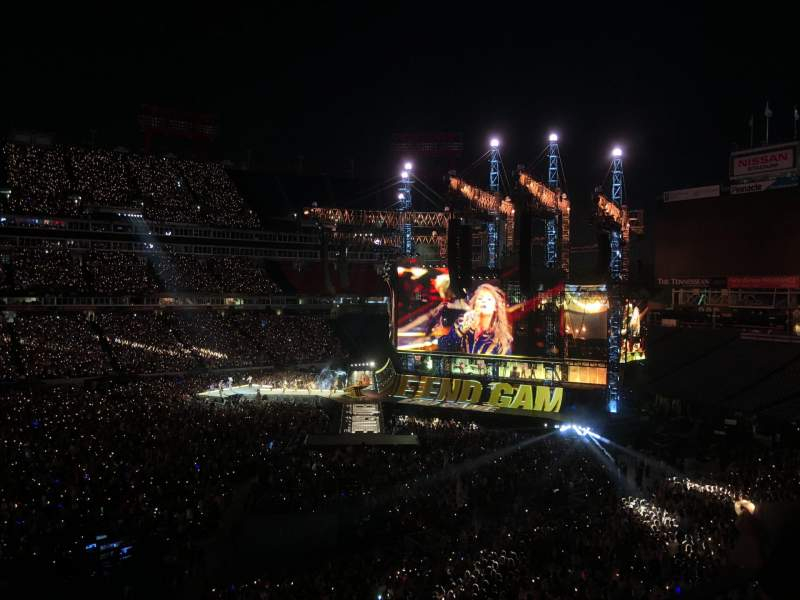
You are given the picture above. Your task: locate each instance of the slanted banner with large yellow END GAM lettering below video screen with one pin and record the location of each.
(470, 394)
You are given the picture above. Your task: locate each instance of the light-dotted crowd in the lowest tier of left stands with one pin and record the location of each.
(76, 344)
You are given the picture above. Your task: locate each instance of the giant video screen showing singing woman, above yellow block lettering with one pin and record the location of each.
(432, 318)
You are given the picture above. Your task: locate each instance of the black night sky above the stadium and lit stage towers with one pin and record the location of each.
(674, 87)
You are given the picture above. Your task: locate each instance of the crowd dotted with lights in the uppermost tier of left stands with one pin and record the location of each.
(71, 181)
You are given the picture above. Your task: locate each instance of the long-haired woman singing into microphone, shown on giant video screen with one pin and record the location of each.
(484, 328)
